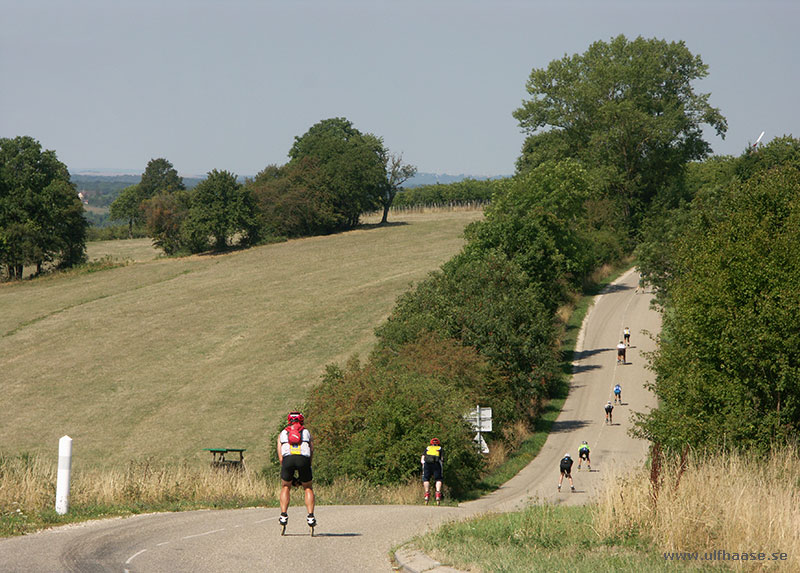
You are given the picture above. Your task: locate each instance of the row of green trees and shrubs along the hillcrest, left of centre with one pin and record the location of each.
(334, 175)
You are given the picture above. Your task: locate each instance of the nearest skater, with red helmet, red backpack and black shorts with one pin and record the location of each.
(295, 449)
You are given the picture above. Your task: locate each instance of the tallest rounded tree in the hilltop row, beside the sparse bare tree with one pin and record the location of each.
(351, 162)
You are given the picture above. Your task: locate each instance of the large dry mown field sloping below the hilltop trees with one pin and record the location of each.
(165, 357)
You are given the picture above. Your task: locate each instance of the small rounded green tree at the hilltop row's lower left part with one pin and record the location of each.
(219, 208)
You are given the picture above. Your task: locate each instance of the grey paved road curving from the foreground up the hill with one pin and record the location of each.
(359, 538)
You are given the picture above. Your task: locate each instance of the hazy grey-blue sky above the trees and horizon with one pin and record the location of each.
(228, 85)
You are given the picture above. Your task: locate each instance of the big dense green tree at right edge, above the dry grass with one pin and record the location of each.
(728, 363)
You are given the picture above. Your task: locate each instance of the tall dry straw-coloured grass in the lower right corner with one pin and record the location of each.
(703, 502)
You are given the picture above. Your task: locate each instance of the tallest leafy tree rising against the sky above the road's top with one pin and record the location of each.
(627, 110)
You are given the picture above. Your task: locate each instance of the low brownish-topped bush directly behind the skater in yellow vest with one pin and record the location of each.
(373, 422)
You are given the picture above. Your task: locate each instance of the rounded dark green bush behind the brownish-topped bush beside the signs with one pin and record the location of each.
(489, 304)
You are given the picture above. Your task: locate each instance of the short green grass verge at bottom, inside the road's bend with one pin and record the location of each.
(544, 538)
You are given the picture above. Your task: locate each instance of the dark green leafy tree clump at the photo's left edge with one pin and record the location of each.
(41, 217)
